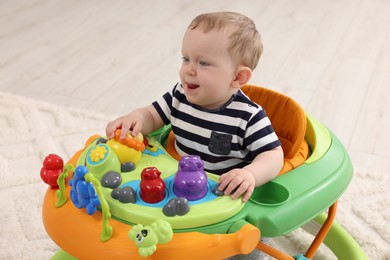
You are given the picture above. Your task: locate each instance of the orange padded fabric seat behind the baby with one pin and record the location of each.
(288, 120)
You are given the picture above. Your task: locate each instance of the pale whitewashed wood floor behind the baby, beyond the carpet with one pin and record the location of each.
(333, 57)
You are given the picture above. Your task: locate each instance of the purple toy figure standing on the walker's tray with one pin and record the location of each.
(190, 179)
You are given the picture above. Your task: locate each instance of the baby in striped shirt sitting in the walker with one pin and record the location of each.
(210, 116)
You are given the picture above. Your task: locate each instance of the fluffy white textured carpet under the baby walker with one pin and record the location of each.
(29, 130)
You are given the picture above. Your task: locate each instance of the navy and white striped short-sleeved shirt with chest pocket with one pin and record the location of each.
(225, 138)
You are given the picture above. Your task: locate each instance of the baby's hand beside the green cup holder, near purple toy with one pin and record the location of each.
(237, 182)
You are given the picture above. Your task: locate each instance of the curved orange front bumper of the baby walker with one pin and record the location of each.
(78, 234)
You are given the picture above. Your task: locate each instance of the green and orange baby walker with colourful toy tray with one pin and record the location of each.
(136, 198)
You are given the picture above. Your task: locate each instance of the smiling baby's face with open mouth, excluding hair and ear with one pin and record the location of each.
(207, 71)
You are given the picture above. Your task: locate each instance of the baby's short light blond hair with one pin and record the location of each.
(245, 45)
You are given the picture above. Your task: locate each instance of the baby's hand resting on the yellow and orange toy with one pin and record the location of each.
(130, 122)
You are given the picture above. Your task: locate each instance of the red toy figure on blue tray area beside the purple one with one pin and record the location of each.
(152, 186)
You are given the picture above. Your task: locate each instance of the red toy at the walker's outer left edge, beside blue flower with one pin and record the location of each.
(53, 166)
